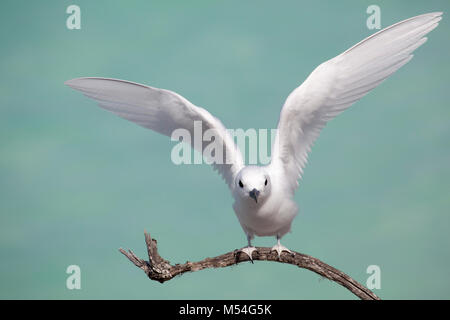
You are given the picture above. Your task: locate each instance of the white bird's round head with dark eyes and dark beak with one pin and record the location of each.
(253, 184)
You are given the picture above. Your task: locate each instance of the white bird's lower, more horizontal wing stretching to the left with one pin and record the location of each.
(162, 111)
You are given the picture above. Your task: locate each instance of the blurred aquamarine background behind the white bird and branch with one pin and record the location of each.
(77, 182)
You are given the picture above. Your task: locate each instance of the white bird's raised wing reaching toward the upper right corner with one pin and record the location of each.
(338, 83)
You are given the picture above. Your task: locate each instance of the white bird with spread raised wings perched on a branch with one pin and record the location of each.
(263, 195)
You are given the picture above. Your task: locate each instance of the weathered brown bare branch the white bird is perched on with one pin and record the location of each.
(161, 270)
